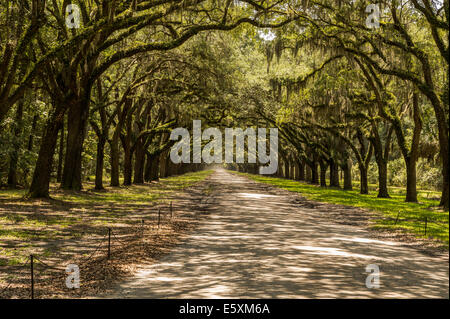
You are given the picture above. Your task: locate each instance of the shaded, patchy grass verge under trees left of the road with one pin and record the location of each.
(44, 227)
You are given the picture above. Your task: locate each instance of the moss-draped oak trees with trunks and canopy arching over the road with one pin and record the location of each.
(94, 88)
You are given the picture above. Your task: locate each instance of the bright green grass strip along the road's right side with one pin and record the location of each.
(410, 219)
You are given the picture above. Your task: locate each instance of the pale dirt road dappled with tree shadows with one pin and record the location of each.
(258, 243)
